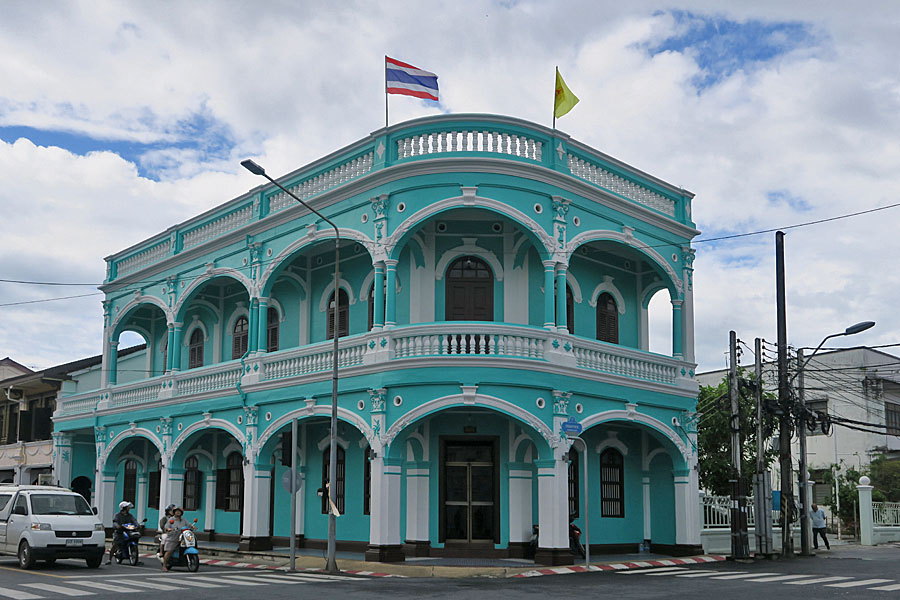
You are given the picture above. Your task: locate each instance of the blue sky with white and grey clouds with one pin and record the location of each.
(121, 119)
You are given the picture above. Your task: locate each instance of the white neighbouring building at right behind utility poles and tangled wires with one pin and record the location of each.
(856, 383)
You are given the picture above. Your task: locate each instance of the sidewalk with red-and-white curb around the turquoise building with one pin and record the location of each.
(355, 563)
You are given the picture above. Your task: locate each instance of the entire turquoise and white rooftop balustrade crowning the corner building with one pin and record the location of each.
(431, 138)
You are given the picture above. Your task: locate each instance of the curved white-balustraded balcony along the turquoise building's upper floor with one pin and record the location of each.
(431, 344)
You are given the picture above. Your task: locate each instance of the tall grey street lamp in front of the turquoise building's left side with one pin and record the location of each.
(330, 563)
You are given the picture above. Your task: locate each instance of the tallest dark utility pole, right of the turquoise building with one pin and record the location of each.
(784, 400)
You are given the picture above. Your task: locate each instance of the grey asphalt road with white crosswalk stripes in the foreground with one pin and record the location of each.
(843, 573)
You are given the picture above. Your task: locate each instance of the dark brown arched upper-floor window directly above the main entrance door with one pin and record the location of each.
(469, 291)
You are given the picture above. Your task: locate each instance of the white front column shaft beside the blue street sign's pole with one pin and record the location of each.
(553, 504)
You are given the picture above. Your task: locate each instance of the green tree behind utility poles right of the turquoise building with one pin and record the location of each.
(714, 435)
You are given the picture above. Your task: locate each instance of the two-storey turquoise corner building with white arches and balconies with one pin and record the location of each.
(494, 283)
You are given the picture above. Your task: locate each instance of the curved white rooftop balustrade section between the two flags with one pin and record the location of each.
(469, 141)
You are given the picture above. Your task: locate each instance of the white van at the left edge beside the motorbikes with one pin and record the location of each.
(42, 522)
